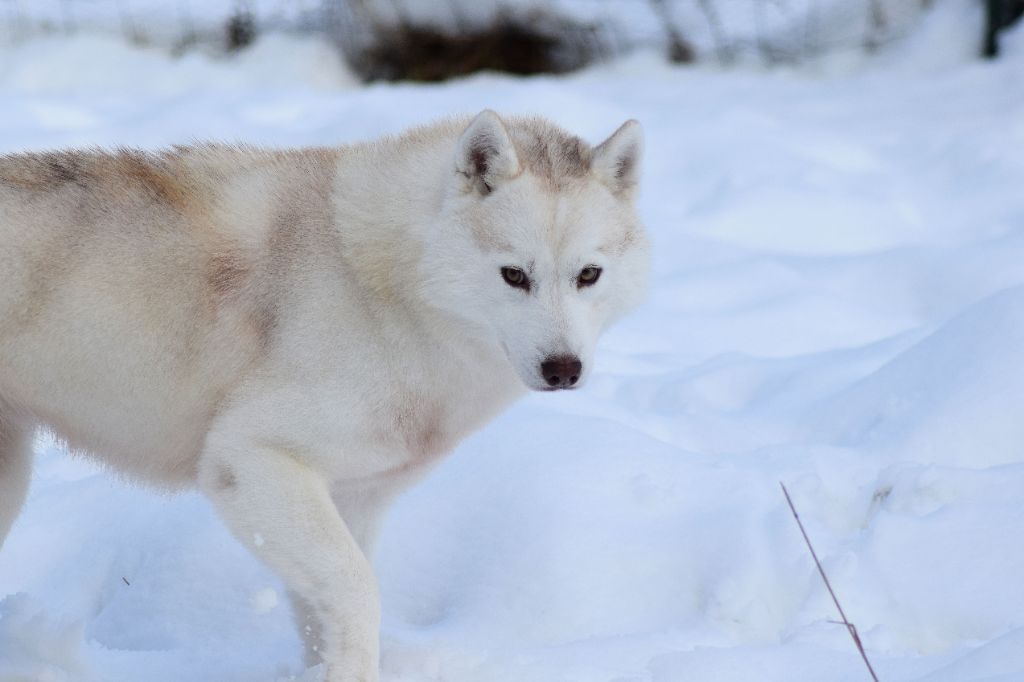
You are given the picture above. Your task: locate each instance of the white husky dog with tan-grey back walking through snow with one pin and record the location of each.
(304, 334)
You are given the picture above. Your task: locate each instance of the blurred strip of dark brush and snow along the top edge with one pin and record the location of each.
(433, 40)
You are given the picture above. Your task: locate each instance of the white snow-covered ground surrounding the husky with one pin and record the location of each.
(838, 305)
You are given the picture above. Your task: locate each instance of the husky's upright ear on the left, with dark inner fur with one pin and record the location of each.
(485, 155)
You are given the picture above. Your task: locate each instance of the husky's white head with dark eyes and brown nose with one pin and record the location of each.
(539, 243)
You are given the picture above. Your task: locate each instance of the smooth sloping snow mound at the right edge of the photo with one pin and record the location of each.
(951, 400)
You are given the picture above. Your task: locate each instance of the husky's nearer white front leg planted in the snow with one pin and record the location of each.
(283, 511)
